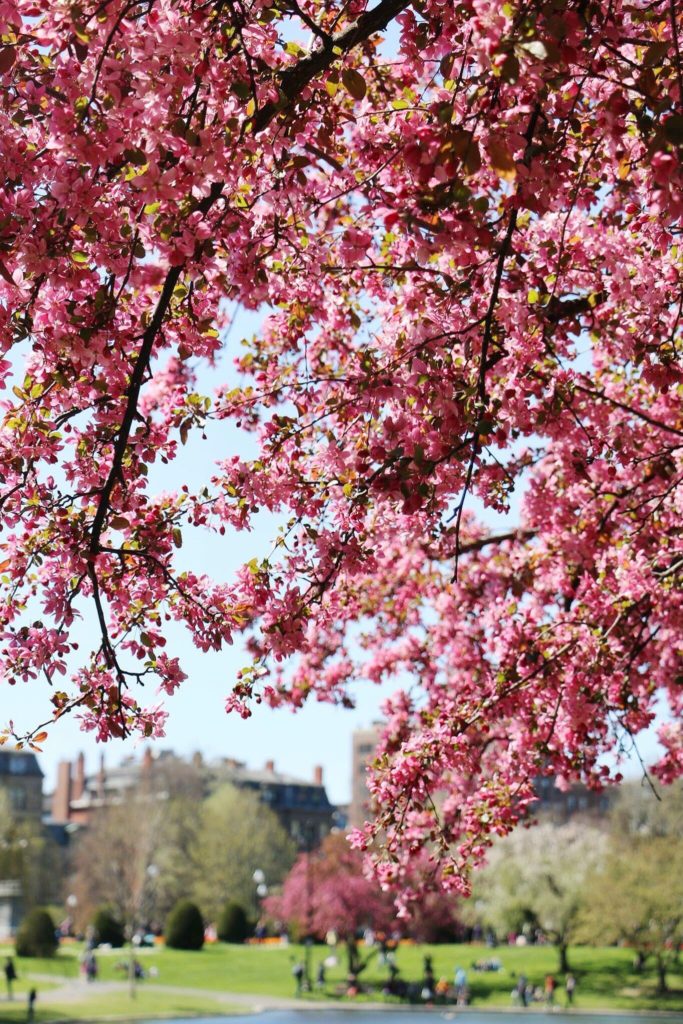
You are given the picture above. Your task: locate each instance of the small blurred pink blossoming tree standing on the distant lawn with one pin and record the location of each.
(327, 890)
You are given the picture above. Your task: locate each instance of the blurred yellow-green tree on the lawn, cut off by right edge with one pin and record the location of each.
(636, 897)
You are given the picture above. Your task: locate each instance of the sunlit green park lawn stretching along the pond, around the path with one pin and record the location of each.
(606, 978)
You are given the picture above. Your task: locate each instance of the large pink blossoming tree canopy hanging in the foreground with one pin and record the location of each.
(462, 220)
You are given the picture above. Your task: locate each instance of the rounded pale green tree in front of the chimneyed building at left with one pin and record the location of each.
(237, 834)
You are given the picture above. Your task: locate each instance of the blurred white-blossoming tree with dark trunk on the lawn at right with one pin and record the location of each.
(538, 876)
